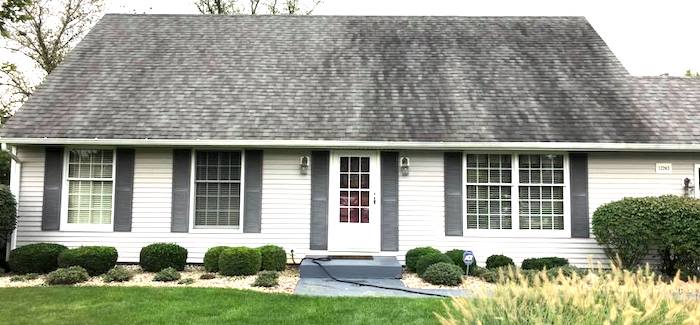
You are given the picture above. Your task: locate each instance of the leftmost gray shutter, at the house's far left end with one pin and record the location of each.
(53, 180)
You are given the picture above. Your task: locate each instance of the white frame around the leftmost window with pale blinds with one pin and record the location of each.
(64, 193)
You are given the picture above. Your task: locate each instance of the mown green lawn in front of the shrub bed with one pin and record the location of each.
(124, 305)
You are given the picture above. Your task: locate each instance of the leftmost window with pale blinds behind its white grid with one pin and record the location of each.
(90, 185)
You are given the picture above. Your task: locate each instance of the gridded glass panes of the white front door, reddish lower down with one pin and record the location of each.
(354, 189)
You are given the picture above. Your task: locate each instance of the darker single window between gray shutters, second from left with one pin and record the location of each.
(217, 189)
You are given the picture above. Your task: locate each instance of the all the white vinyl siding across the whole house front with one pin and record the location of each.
(286, 205)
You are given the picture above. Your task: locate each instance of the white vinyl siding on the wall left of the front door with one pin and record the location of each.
(286, 198)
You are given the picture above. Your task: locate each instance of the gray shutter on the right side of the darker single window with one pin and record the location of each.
(252, 205)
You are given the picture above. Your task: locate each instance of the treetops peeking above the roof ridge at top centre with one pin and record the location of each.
(256, 7)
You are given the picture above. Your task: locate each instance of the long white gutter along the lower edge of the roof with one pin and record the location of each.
(334, 144)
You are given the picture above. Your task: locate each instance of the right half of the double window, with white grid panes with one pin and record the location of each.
(541, 193)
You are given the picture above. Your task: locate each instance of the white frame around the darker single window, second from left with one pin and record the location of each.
(215, 229)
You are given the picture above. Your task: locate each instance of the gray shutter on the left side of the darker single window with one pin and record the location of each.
(182, 162)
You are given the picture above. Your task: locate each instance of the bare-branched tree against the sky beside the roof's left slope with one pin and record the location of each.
(49, 30)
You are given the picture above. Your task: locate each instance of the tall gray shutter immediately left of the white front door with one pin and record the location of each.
(319, 199)
